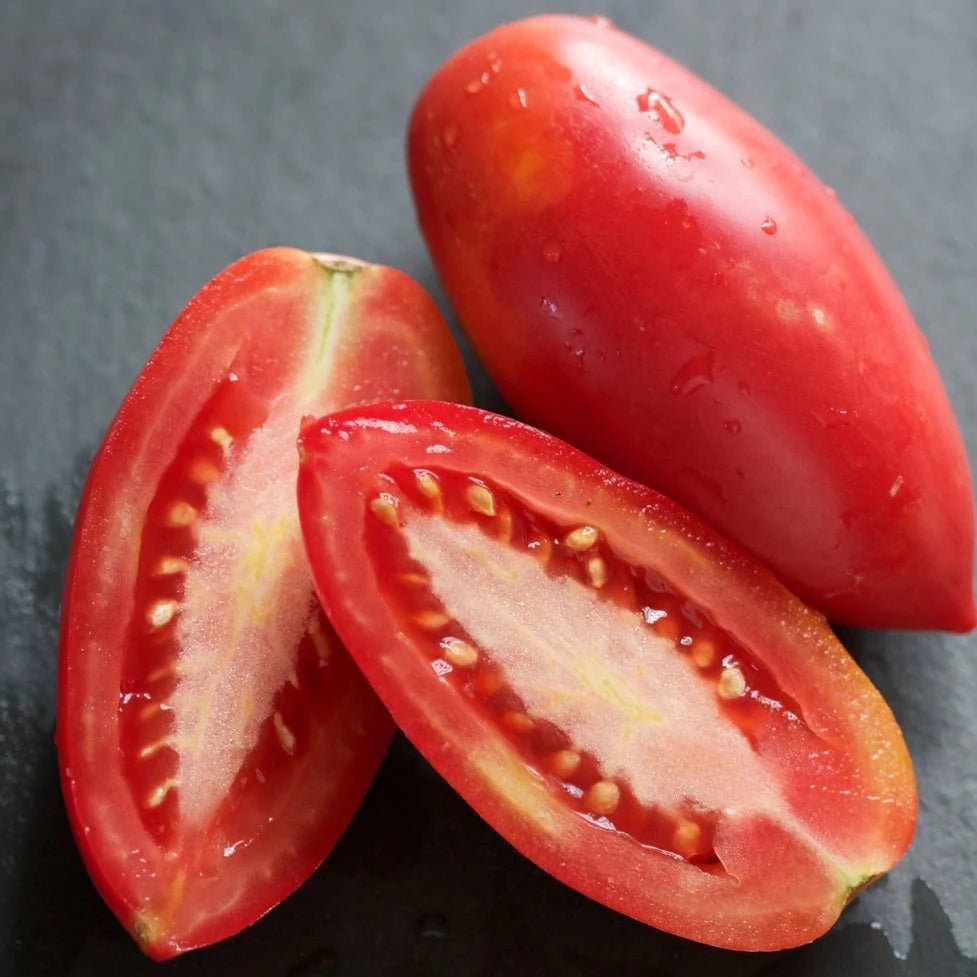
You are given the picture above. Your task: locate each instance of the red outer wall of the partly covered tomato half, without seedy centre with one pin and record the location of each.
(257, 319)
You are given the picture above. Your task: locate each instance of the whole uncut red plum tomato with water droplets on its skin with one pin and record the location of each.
(648, 273)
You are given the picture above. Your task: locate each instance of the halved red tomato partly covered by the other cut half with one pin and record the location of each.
(214, 737)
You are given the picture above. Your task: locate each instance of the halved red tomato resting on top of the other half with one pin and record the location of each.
(635, 704)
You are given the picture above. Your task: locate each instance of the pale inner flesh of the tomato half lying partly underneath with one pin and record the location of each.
(248, 601)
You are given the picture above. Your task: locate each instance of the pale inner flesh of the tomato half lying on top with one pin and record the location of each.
(595, 670)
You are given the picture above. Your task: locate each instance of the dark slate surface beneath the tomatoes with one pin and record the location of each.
(144, 145)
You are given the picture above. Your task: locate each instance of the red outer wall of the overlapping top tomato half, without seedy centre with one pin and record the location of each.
(783, 895)
